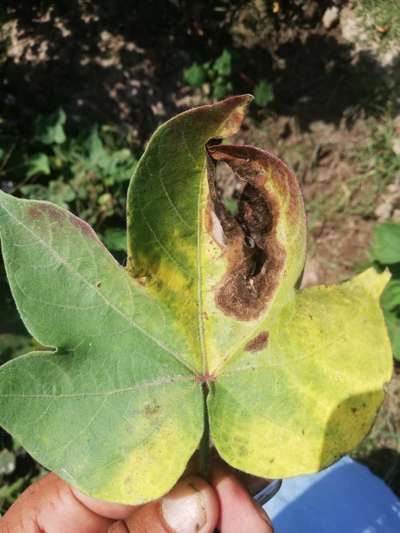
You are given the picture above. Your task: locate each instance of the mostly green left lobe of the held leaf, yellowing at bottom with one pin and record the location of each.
(118, 376)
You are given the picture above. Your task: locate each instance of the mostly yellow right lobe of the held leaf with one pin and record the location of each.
(308, 396)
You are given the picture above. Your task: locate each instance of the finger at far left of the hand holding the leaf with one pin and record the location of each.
(51, 505)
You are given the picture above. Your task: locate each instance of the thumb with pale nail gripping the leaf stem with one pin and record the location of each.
(192, 506)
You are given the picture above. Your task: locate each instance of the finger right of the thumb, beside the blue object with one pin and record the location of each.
(238, 512)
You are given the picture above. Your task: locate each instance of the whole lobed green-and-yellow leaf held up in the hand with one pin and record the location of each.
(208, 304)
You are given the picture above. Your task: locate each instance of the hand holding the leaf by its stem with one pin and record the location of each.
(52, 506)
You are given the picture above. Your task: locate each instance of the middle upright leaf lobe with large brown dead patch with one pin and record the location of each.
(173, 218)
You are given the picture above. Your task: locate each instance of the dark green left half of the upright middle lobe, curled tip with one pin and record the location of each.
(167, 218)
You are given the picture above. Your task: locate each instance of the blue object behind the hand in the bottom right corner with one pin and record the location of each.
(344, 498)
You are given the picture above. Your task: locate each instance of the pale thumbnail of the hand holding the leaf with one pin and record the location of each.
(184, 508)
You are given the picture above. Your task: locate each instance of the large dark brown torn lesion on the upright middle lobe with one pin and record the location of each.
(243, 219)
